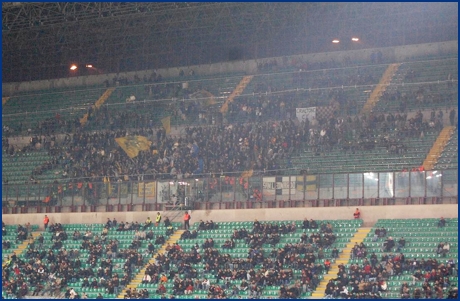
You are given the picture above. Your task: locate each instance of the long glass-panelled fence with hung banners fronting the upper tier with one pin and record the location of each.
(231, 192)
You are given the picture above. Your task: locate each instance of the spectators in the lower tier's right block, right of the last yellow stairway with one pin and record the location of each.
(369, 279)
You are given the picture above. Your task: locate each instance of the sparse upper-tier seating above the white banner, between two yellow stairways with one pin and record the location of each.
(275, 95)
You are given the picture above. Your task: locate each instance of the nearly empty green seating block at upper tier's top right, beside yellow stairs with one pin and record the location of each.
(415, 85)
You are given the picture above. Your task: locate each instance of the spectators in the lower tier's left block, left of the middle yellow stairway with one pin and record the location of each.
(49, 267)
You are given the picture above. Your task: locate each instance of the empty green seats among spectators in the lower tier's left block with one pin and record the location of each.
(120, 264)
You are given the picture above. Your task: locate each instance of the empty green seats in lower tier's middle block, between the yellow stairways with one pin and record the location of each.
(237, 257)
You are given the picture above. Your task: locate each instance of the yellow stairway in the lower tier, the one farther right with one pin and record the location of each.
(343, 258)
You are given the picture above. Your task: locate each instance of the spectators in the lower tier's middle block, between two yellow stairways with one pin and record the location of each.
(261, 268)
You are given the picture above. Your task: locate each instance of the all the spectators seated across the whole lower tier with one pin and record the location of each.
(48, 268)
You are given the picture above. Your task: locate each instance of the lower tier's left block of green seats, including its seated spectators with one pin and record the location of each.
(74, 260)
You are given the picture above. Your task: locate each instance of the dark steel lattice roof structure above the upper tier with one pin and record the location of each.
(40, 40)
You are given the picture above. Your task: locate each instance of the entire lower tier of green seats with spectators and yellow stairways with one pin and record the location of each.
(395, 259)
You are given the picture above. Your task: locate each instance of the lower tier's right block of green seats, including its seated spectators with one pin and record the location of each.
(392, 253)
